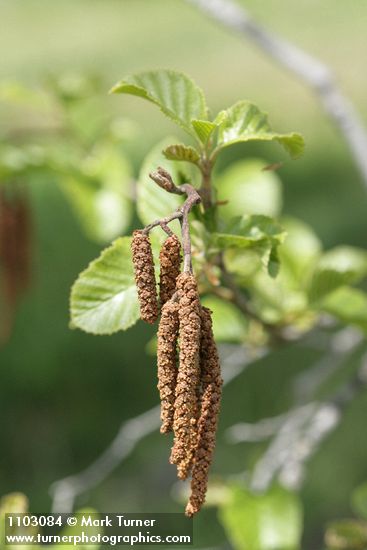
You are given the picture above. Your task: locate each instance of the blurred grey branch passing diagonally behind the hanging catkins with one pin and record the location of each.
(64, 492)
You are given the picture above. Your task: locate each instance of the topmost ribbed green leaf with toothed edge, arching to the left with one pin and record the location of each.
(174, 93)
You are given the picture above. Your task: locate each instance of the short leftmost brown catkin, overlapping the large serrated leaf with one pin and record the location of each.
(144, 276)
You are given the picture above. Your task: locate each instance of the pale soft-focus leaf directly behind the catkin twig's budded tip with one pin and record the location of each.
(153, 202)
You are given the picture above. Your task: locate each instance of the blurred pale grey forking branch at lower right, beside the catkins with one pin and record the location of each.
(298, 433)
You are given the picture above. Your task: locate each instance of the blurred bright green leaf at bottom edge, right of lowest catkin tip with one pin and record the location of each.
(271, 521)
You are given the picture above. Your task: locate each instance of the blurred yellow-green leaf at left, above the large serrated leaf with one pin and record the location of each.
(100, 194)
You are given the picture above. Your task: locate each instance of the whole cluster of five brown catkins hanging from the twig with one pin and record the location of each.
(189, 378)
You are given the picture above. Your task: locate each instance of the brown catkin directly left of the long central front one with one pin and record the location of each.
(167, 362)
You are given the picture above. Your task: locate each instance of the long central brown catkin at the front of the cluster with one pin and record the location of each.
(186, 394)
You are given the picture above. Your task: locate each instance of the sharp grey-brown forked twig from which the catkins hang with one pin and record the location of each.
(164, 180)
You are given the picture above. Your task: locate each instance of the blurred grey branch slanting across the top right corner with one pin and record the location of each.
(307, 68)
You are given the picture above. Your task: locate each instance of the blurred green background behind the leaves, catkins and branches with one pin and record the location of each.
(64, 394)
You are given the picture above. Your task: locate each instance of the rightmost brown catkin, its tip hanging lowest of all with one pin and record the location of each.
(211, 381)
